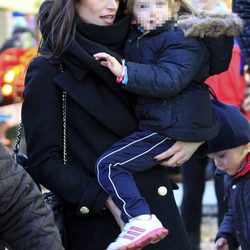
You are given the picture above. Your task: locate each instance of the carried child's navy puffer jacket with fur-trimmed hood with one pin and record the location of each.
(177, 64)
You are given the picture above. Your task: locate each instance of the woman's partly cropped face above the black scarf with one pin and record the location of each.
(99, 12)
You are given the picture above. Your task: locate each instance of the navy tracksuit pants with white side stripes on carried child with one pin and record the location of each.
(116, 167)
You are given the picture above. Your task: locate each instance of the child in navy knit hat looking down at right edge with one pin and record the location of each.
(230, 150)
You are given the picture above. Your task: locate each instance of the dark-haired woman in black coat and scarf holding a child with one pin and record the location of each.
(98, 114)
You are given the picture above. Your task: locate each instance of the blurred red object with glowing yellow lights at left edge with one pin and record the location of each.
(13, 64)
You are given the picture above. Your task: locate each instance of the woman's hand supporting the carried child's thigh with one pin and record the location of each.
(178, 154)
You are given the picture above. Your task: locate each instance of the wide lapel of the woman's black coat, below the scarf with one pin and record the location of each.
(98, 101)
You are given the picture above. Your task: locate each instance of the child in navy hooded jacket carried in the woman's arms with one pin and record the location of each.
(173, 70)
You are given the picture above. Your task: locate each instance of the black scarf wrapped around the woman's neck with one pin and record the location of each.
(90, 39)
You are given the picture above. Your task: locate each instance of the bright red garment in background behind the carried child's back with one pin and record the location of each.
(230, 86)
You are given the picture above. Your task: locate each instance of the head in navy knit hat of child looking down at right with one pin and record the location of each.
(232, 144)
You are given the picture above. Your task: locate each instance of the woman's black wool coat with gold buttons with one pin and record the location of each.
(97, 116)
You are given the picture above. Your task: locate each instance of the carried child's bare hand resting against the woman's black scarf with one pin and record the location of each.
(109, 62)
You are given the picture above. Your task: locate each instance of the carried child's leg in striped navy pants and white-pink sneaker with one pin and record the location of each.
(115, 170)
